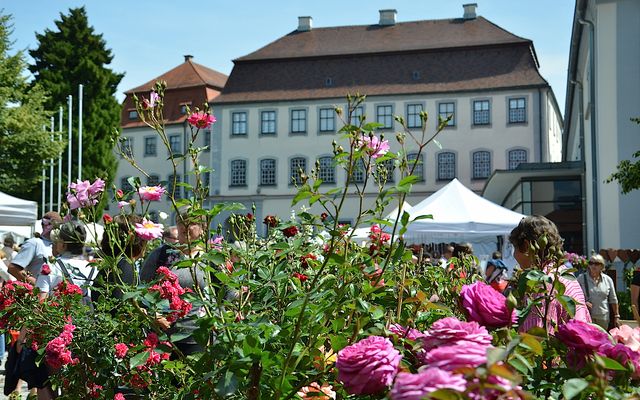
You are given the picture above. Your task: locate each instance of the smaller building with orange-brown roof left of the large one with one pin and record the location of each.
(188, 85)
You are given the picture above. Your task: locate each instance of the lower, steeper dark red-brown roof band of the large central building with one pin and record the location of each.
(454, 70)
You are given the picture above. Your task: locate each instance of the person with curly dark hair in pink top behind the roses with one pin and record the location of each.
(528, 231)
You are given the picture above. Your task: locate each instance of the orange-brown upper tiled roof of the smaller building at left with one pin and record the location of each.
(187, 74)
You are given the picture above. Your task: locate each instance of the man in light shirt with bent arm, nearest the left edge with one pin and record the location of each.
(35, 252)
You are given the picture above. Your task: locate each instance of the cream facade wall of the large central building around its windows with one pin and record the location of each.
(463, 139)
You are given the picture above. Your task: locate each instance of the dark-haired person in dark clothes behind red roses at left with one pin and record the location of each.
(124, 248)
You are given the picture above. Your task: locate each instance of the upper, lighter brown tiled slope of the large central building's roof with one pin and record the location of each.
(403, 36)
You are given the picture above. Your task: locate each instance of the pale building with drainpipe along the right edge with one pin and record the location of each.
(603, 94)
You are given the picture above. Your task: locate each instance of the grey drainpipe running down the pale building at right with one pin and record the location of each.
(592, 112)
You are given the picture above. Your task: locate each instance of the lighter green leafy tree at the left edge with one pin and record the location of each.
(23, 142)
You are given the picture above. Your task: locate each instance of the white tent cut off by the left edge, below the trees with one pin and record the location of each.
(17, 216)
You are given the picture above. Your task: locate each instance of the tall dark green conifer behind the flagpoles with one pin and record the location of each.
(74, 54)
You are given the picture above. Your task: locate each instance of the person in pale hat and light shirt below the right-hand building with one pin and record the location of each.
(600, 293)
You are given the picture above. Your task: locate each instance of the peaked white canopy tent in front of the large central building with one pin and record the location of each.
(460, 215)
